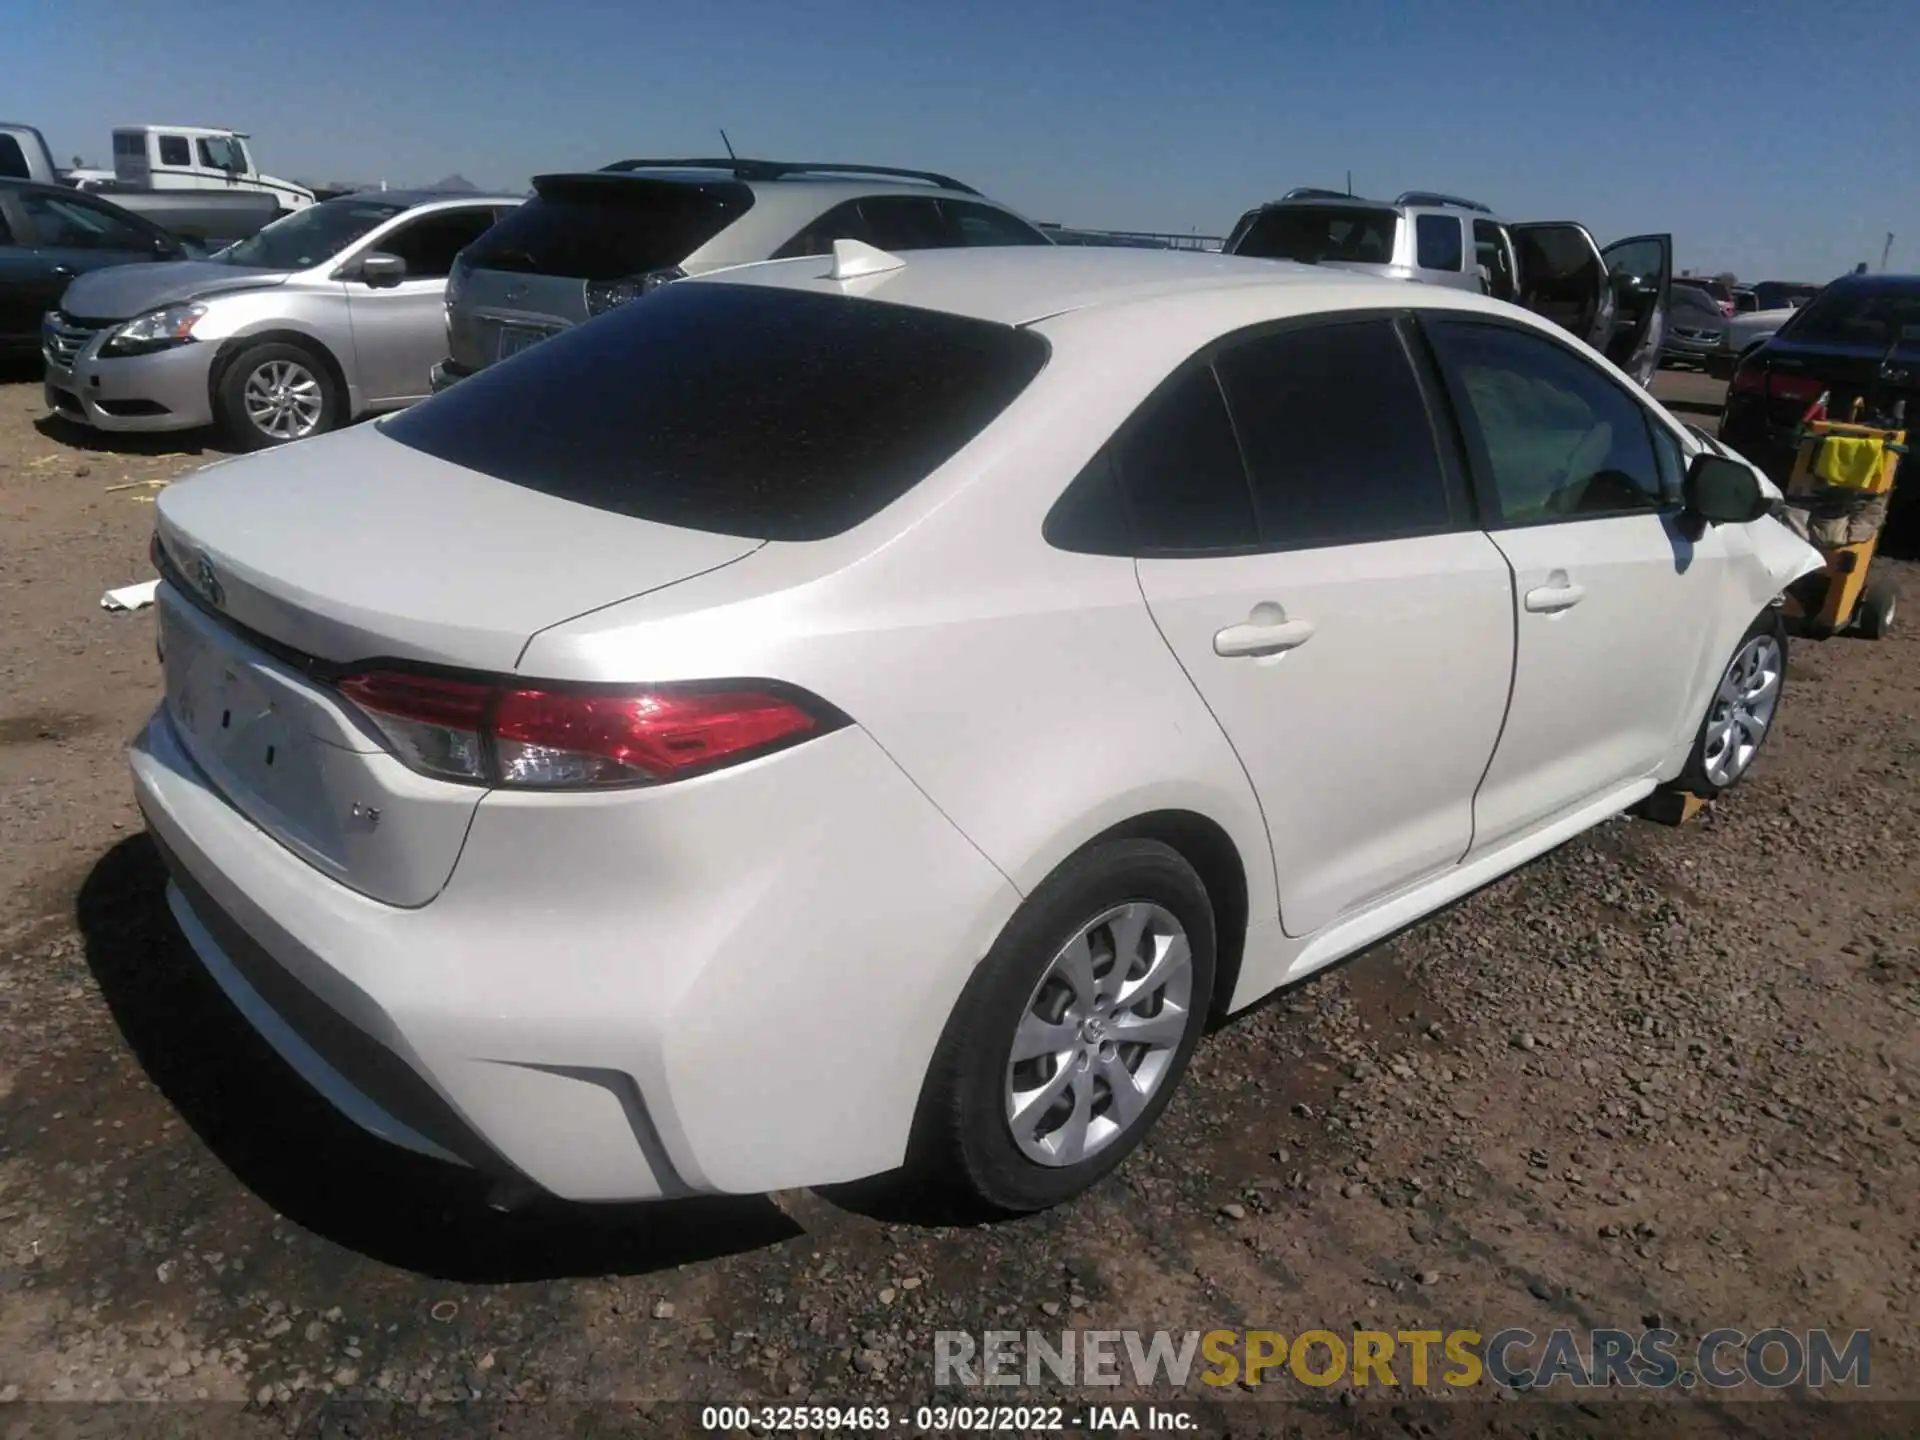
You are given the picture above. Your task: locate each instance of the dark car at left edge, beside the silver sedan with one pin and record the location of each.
(47, 237)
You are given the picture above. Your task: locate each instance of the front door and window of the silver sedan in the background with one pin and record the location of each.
(400, 329)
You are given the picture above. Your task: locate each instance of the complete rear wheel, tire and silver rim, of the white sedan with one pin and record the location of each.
(1074, 1032)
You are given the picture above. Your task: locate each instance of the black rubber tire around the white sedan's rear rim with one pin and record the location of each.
(963, 1136)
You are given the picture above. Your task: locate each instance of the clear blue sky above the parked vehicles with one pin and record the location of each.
(1773, 139)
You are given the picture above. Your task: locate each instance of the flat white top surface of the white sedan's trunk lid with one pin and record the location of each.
(354, 546)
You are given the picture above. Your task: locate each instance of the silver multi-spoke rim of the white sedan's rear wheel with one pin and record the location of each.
(1099, 1034)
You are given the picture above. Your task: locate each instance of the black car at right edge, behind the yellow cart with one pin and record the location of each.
(1860, 339)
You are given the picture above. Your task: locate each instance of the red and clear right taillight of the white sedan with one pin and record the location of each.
(565, 738)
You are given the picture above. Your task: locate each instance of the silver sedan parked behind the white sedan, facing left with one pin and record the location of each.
(331, 314)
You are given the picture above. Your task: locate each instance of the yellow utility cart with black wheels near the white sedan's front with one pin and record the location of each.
(1838, 502)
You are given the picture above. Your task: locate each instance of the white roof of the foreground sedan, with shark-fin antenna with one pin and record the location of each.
(1020, 285)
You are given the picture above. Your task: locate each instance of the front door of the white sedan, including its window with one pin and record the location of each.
(1614, 604)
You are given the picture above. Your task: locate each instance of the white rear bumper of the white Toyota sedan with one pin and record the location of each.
(725, 986)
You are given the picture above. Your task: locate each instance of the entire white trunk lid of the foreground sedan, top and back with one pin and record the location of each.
(293, 565)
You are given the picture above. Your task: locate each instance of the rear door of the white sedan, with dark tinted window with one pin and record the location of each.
(1312, 562)
